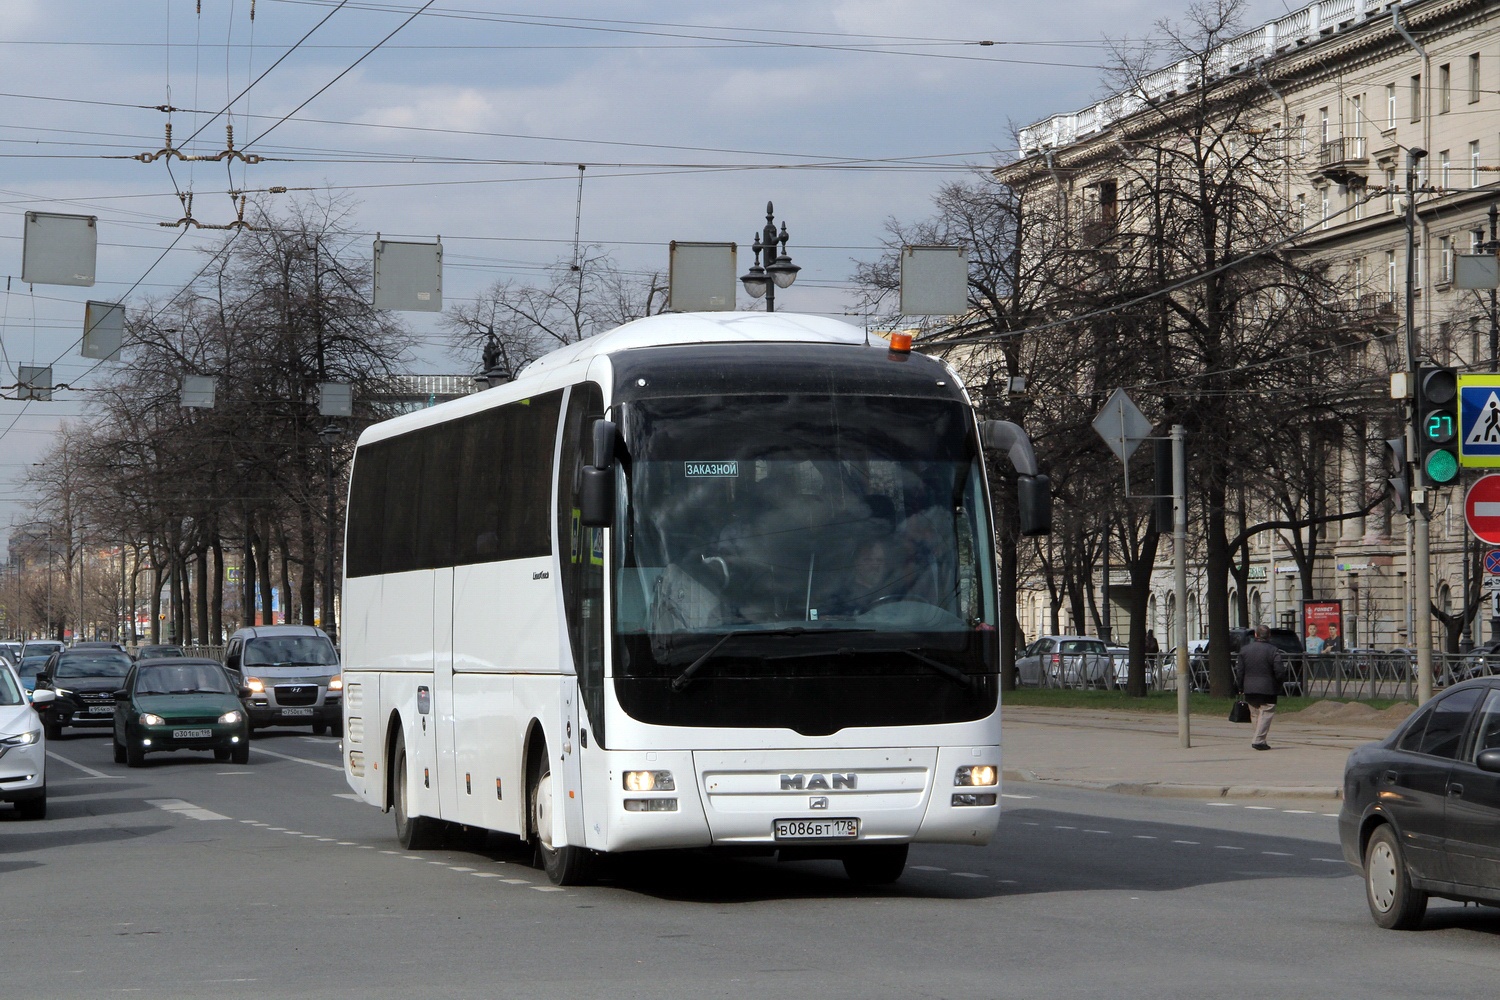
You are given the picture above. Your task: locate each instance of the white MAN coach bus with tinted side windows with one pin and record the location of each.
(704, 581)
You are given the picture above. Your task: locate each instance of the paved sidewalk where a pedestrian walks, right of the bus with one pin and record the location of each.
(1141, 755)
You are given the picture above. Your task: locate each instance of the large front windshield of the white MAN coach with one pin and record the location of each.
(833, 525)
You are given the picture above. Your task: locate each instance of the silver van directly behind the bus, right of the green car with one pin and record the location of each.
(292, 674)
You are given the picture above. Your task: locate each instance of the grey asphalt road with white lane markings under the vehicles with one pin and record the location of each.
(197, 879)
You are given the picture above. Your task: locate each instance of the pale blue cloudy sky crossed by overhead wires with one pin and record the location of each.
(470, 124)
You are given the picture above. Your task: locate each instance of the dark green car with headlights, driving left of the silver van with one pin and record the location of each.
(179, 704)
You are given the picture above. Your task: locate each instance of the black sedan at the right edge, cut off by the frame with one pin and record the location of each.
(1423, 807)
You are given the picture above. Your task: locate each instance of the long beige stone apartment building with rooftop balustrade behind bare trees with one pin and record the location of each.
(1352, 86)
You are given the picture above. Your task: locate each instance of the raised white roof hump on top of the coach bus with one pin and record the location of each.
(704, 328)
